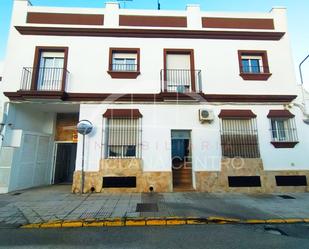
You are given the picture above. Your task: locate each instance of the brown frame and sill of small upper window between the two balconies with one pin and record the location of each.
(124, 74)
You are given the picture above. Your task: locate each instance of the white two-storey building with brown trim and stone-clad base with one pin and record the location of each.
(213, 92)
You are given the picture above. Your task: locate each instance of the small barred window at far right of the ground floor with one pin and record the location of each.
(283, 130)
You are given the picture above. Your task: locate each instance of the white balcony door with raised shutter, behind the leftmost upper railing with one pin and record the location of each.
(50, 71)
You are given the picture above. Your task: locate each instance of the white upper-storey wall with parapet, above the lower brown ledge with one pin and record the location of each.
(88, 57)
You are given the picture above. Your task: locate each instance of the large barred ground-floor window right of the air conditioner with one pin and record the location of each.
(239, 138)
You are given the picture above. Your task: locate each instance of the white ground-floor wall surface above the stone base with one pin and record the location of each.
(159, 120)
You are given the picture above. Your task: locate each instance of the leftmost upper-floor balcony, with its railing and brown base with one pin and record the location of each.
(43, 82)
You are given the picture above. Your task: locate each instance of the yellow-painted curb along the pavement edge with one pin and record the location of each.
(157, 221)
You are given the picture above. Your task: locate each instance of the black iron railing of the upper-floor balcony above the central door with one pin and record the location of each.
(181, 81)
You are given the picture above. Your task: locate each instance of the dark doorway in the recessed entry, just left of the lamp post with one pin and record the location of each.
(65, 162)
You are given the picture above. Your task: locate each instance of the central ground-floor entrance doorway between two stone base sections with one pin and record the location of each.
(181, 159)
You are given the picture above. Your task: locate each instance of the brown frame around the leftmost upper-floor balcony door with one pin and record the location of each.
(36, 62)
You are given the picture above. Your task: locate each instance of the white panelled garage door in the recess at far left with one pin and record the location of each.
(32, 162)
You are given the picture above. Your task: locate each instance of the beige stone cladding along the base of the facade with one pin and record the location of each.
(206, 181)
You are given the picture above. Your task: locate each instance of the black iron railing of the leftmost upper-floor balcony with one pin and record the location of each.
(44, 79)
